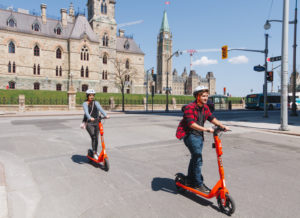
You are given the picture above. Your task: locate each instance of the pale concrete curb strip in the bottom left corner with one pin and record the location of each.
(3, 194)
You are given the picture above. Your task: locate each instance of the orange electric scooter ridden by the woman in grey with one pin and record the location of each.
(102, 158)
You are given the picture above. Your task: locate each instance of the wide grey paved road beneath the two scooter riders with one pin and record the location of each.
(47, 173)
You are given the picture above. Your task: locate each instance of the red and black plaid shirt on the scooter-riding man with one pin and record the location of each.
(190, 116)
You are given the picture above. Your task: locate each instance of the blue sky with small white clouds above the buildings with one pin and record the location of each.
(202, 25)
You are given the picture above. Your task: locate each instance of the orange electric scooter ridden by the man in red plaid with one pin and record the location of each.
(225, 201)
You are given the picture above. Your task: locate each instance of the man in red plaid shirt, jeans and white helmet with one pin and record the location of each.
(191, 129)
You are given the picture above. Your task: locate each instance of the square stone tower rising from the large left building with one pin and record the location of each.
(101, 16)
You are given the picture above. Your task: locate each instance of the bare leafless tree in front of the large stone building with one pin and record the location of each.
(123, 76)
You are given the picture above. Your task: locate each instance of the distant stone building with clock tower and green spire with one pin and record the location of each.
(183, 84)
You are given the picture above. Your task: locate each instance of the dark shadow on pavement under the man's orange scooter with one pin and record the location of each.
(168, 185)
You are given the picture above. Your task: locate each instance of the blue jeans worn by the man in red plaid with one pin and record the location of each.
(195, 144)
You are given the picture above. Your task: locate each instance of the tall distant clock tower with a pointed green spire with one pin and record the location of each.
(164, 51)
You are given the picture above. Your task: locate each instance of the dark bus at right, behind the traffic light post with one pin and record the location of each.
(256, 101)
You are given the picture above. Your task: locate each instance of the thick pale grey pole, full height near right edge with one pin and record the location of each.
(284, 68)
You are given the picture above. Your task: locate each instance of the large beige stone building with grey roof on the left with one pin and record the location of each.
(38, 52)
